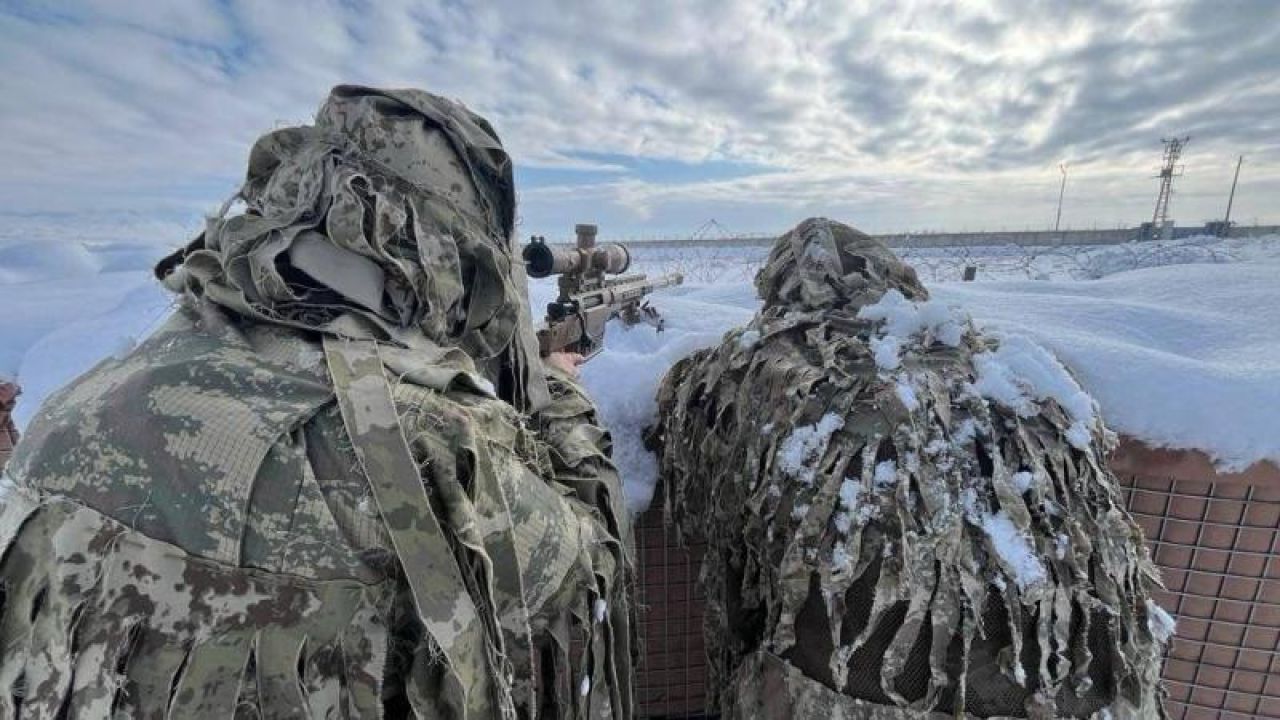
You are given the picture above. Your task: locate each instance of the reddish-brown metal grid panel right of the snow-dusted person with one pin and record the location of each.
(1218, 548)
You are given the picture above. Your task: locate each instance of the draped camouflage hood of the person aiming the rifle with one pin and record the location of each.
(392, 218)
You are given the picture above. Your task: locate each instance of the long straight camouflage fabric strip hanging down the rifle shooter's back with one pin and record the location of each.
(440, 593)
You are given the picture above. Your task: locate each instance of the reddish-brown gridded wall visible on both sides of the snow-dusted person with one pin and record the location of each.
(1217, 539)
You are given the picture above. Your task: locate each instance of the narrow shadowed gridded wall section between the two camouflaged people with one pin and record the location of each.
(673, 672)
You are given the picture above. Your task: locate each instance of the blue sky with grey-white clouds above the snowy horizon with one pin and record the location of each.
(134, 119)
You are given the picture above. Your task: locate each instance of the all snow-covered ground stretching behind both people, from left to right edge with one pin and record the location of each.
(1178, 341)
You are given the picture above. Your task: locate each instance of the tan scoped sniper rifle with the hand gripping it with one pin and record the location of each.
(588, 300)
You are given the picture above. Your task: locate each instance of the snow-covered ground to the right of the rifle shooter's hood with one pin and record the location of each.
(1178, 341)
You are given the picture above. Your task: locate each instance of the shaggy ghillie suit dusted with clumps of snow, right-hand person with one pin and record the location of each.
(885, 540)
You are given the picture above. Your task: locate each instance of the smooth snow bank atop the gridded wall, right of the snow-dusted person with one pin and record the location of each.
(1180, 357)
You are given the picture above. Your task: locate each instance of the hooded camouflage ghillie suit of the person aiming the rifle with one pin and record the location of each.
(339, 482)
